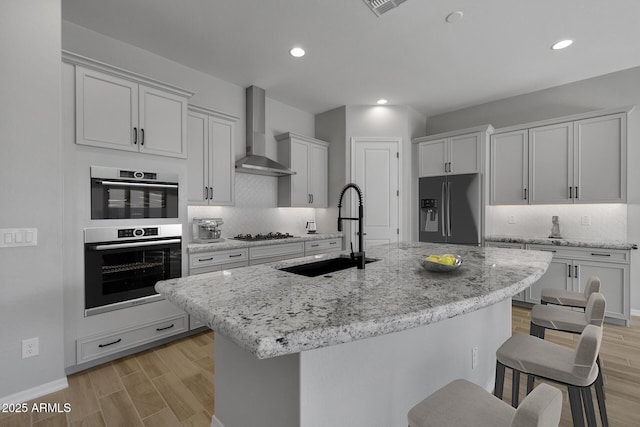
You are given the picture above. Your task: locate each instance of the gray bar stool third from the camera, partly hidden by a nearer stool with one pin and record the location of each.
(545, 317)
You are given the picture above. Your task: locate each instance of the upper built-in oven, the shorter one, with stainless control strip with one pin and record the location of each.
(119, 194)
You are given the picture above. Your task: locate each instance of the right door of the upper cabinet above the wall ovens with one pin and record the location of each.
(163, 118)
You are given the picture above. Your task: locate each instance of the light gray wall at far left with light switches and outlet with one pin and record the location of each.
(31, 193)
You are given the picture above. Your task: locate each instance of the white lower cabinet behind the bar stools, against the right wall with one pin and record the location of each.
(571, 268)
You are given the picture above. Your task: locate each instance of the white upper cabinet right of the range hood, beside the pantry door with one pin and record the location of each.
(308, 157)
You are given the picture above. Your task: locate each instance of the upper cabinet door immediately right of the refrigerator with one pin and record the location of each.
(509, 170)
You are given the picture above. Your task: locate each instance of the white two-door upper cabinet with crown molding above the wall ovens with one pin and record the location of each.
(124, 111)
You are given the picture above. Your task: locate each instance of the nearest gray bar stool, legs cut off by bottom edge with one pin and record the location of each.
(465, 404)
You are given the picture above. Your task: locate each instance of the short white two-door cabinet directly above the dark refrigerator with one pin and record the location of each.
(453, 153)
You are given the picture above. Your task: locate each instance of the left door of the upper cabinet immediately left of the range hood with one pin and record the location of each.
(198, 160)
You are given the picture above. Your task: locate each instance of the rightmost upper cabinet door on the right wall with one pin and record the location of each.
(600, 149)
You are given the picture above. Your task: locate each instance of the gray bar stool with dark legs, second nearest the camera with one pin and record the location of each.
(575, 368)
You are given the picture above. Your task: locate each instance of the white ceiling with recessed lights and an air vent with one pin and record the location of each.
(410, 55)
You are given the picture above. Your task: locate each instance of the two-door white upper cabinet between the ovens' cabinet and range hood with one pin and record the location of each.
(211, 157)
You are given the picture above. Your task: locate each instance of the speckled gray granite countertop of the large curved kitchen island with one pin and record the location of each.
(269, 312)
